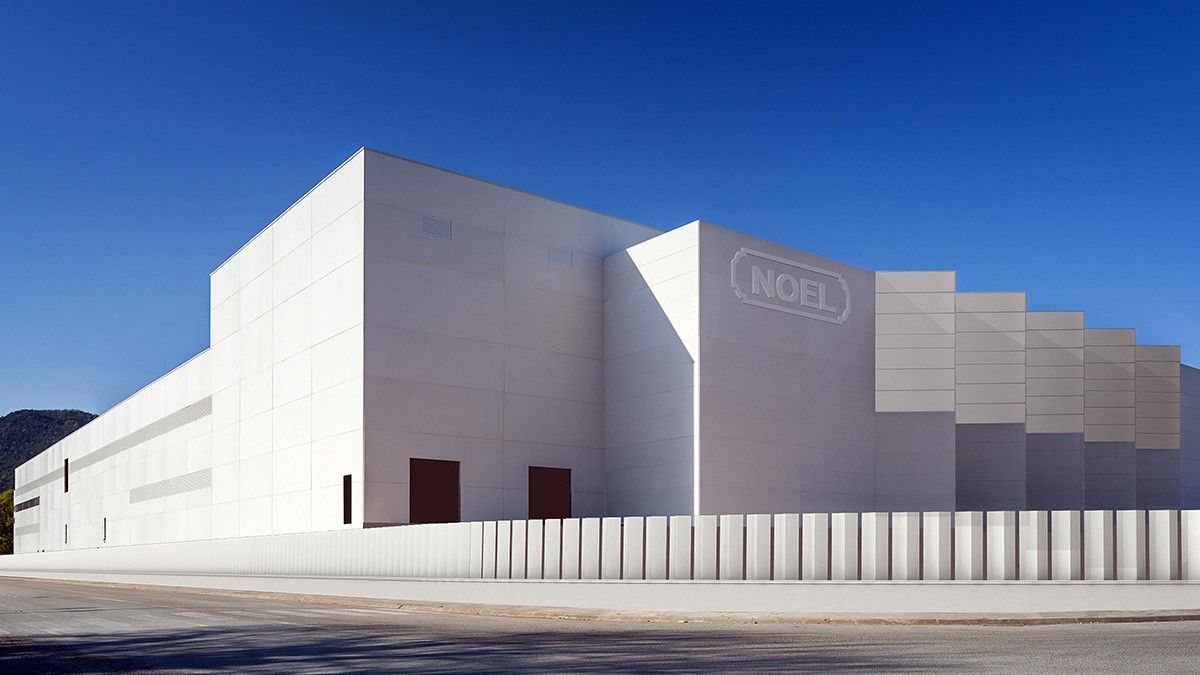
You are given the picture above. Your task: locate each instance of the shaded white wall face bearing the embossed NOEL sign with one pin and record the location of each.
(787, 391)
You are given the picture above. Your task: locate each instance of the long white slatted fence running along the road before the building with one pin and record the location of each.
(878, 547)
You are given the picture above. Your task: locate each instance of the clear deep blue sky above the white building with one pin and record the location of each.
(1051, 150)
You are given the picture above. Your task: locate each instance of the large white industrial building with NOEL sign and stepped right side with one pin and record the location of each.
(410, 345)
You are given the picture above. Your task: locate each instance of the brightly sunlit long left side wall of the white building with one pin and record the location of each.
(254, 435)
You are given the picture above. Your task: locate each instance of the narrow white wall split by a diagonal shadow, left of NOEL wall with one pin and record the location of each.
(652, 334)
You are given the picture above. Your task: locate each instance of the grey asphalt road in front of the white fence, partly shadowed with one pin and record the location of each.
(53, 628)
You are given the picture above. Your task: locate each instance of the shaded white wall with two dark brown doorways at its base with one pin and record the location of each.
(484, 338)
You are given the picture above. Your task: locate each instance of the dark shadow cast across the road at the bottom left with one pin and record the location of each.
(377, 649)
